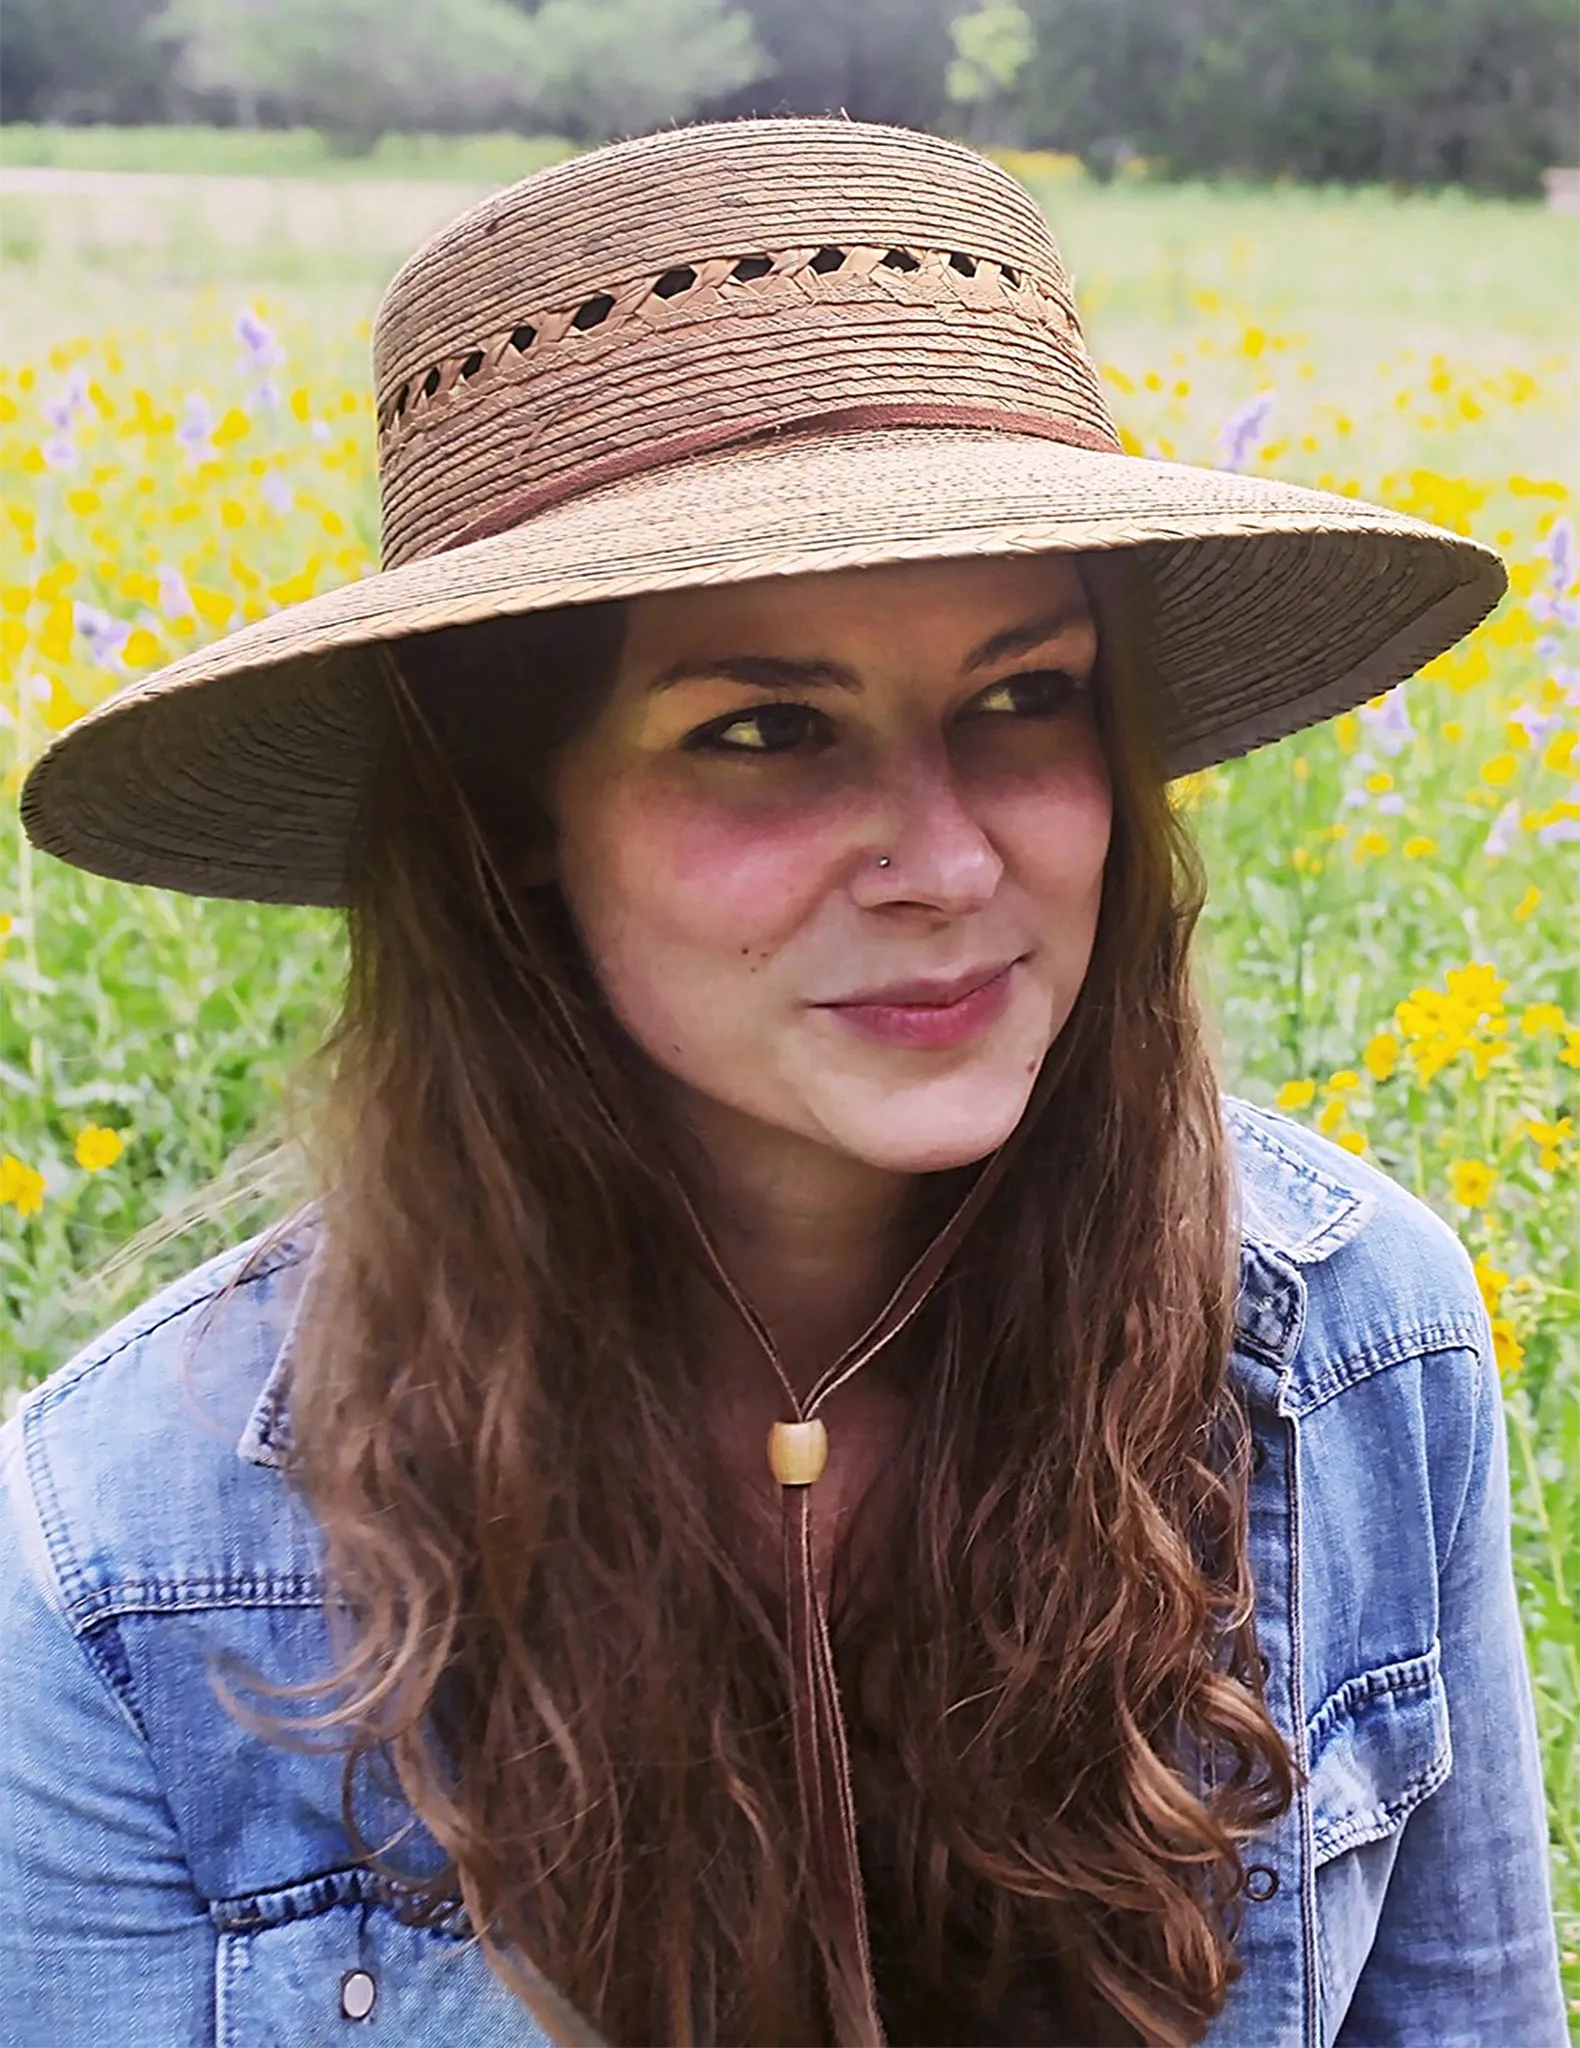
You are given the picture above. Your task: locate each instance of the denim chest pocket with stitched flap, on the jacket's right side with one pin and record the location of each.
(1380, 1746)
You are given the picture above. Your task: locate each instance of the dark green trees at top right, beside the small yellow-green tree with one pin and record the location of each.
(1477, 93)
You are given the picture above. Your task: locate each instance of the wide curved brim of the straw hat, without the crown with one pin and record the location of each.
(239, 769)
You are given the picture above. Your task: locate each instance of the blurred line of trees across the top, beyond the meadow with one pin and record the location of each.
(1479, 93)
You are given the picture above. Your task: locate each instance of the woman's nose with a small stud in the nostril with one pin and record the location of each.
(938, 853)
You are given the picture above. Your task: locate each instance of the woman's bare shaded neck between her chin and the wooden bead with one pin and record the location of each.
(813, 1238)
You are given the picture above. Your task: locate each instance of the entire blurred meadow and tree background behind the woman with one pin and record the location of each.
(1331, 241)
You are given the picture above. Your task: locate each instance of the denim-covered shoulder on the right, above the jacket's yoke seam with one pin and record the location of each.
(1382, 1277)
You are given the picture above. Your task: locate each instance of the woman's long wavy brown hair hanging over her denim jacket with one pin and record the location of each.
(546, 1627)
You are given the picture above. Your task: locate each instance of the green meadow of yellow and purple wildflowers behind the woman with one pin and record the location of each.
(1390, 939)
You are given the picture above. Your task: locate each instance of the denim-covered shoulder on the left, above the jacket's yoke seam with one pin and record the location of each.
(126, 1469)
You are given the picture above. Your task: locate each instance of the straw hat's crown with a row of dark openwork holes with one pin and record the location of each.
(710, 286)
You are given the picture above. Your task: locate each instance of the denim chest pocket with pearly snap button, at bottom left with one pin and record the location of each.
(300, 1969)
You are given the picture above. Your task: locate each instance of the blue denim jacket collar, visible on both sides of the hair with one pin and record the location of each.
(1292, 1218)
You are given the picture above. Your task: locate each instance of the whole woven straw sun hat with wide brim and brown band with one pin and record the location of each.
(720, 353)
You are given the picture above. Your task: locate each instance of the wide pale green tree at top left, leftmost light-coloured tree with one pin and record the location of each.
(358, 69)
